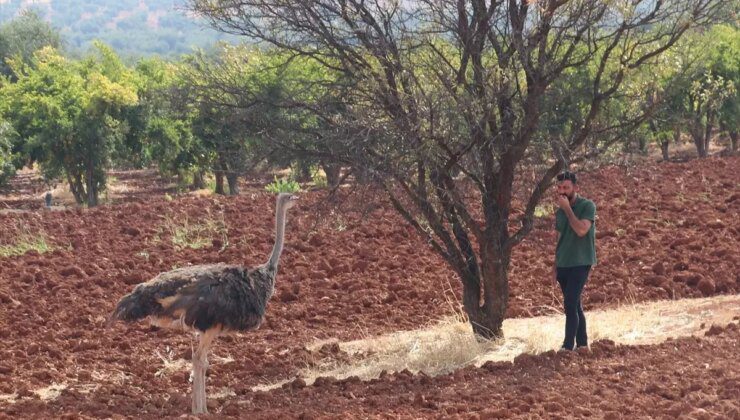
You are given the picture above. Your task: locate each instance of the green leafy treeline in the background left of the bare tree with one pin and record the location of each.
(203, 114)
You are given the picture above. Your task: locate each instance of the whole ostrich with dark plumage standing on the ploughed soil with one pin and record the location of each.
(208, 299)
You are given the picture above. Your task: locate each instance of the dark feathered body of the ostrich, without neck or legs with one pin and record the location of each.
(201, 297)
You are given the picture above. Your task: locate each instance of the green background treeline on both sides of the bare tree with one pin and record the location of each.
(221, 114)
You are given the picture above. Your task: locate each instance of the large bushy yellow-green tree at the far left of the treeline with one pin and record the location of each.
(69, 112)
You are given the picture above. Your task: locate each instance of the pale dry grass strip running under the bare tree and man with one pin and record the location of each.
(449, 344)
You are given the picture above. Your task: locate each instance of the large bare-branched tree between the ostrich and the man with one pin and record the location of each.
(448, 104)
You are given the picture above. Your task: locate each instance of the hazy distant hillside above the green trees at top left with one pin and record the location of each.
(132, 27)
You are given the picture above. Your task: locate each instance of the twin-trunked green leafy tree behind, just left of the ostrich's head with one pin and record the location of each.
(234, 89)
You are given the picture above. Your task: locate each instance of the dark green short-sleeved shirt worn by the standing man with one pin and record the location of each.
(573, 250)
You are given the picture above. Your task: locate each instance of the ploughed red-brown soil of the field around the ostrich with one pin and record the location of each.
(665, 231)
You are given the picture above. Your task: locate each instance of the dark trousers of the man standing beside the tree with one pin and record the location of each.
(572, 280)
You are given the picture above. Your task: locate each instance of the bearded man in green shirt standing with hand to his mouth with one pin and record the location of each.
(575, 254)
